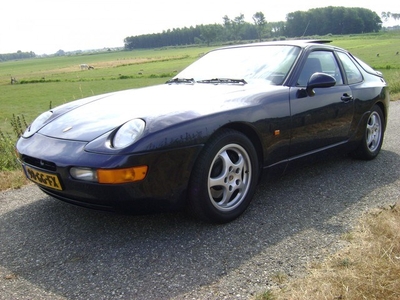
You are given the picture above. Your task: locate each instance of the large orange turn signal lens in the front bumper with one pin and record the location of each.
(115, 176)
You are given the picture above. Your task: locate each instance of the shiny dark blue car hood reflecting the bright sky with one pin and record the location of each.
(86, 119)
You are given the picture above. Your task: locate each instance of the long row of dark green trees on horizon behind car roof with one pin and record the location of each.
(318, 21)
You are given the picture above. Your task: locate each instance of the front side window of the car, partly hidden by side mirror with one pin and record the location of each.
(320, 61)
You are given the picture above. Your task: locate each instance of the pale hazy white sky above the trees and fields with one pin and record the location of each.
(46, 26)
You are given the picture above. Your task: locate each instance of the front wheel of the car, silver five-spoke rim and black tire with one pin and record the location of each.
(224, 178)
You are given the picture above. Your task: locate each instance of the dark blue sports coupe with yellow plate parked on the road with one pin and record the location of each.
(202, 140)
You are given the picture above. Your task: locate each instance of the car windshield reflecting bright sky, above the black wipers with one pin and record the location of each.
(270, 64)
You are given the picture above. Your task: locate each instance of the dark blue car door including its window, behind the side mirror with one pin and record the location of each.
(323, 119)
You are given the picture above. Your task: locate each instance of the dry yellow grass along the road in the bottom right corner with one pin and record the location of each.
(368, 268)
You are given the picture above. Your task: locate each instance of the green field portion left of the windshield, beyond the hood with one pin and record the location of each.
(56, 80)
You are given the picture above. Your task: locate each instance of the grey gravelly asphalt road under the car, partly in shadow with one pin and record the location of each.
(52, 250)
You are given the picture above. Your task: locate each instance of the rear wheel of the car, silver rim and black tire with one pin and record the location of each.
(372, 140)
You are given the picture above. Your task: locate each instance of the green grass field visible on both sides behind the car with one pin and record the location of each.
(51, 81)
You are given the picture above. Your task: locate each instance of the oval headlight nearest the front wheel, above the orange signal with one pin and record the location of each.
(128, 133)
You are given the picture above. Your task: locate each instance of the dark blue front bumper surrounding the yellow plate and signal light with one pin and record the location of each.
(163, 188)
